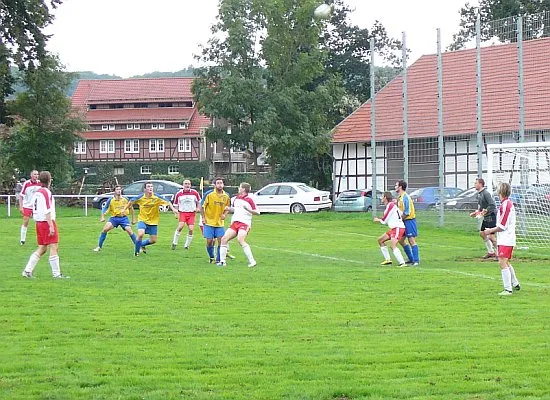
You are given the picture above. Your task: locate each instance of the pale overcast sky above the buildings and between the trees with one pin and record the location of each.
(129, 37)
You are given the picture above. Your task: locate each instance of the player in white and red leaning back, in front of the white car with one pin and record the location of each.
(243, 208)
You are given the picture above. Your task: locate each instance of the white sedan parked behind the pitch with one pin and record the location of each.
(291, 197)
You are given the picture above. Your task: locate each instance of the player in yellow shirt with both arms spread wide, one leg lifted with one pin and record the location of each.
(149, 216)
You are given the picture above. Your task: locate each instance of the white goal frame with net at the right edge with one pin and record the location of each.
(526, 167)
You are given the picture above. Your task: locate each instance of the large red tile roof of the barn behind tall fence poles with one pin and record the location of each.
(500, 99)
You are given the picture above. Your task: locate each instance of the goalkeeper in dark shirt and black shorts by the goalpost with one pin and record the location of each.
(486, 209)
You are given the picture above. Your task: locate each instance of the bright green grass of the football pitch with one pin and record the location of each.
(317, 319)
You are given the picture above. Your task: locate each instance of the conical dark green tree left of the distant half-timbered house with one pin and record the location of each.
(44, 129)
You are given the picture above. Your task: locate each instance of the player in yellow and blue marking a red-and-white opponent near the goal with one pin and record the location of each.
(405, 204)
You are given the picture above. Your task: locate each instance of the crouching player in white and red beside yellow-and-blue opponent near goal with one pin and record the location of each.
(392, 218)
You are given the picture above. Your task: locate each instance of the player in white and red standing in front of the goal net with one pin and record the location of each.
(506, 238)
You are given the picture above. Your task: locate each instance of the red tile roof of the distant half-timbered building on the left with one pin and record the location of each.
(143, 91)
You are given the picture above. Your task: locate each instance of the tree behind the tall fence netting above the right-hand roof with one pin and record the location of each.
(535, 24)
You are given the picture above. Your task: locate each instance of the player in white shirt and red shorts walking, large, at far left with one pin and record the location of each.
(46, 228)
